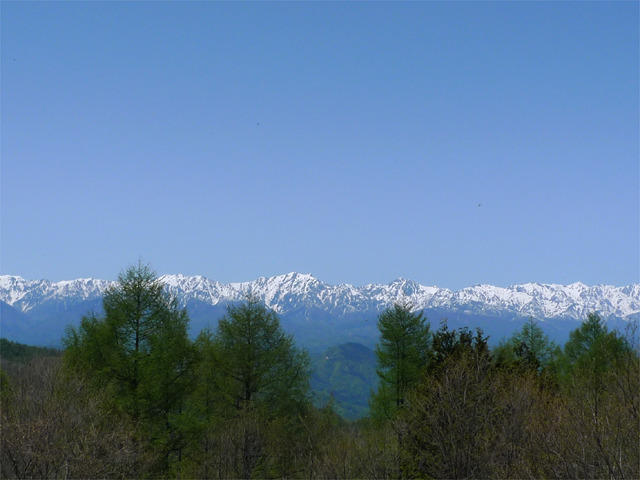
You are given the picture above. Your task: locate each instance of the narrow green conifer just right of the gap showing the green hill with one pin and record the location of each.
(403, 354)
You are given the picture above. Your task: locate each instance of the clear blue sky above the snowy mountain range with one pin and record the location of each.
(450, 143)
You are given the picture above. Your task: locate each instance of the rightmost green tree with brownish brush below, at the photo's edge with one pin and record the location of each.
(593, 425)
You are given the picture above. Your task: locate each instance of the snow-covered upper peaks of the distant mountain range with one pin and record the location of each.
(292, 291)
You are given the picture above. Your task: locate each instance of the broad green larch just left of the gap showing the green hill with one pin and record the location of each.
(251, 395)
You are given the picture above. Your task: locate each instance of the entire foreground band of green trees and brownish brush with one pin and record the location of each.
(133, 396)
